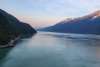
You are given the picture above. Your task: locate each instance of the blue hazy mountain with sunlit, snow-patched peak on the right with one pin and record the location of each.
(89, 24)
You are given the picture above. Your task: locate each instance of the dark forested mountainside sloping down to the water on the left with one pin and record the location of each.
(10, 28)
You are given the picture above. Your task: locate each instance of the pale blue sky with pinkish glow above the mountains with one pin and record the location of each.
(40, 13)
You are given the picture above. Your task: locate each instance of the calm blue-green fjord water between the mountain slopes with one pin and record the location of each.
(47, 49)
